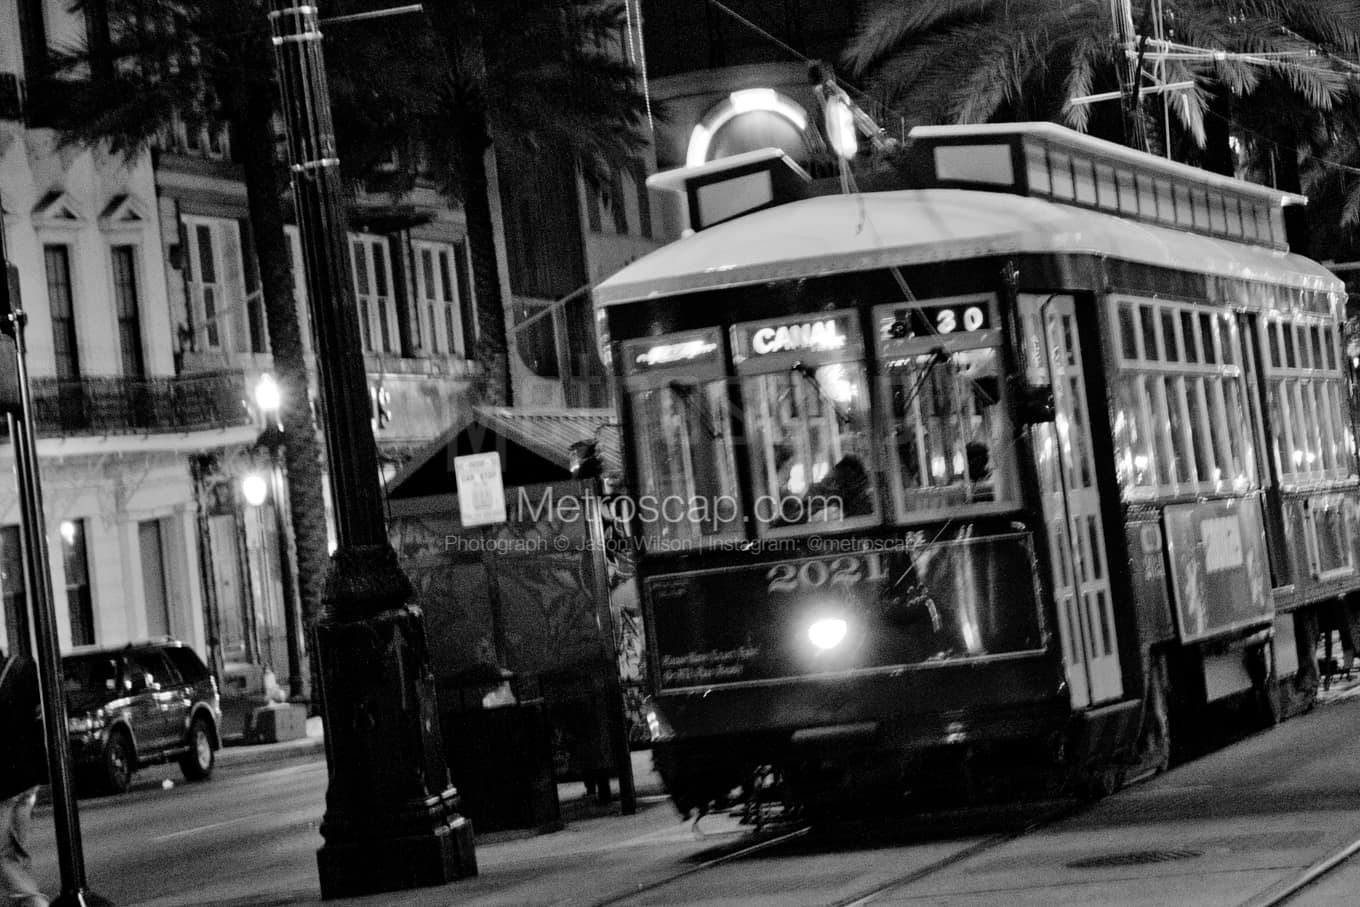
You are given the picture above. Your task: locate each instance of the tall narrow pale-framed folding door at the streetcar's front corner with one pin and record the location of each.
(1072, 502)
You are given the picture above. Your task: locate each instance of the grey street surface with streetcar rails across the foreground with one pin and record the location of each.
(1218, 832)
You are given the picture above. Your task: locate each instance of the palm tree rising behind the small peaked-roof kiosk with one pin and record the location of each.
(527, 78)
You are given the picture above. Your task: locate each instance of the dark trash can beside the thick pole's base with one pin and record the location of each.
(500, 753)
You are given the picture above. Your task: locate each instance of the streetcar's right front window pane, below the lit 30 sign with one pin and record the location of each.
(950, 443)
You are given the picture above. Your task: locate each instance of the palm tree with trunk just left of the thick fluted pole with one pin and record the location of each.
(211, 62)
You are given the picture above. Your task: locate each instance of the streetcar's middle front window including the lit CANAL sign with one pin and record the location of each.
(806, 405)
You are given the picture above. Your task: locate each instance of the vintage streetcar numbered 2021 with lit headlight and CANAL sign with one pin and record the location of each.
(1021, 468)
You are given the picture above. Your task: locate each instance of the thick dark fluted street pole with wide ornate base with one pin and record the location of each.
(392, 817)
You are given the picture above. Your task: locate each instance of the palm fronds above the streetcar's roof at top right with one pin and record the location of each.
(998, 61)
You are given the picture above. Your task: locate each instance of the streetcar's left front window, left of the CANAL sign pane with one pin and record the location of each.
(687, 478)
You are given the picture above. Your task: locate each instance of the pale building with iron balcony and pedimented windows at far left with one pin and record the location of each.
(118, 422)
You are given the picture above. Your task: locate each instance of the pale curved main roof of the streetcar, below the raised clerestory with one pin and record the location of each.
(847, 233)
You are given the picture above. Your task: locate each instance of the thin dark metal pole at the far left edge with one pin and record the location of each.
(66, 819)
